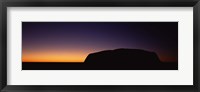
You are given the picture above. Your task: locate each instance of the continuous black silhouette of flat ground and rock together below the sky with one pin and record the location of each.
(118, 59)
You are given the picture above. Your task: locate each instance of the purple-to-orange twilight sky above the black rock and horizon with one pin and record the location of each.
(73, 41)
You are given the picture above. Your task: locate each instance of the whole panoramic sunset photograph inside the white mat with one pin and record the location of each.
(99, 45)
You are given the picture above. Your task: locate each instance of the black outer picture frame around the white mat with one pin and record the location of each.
(97, 3)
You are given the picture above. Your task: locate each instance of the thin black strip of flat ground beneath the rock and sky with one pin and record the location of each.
(82, 66)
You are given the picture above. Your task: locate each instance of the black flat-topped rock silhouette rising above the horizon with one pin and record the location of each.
(123, 56)
